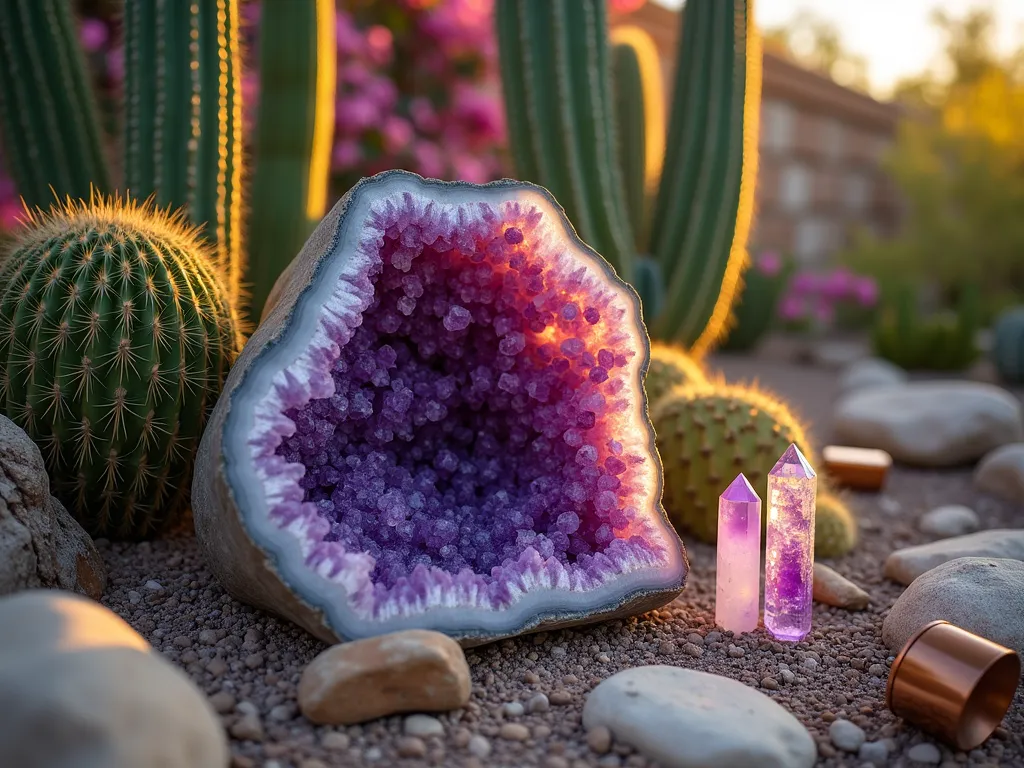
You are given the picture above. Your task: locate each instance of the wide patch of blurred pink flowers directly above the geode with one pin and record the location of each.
(418, 89)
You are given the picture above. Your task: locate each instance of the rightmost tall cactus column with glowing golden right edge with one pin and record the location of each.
(704, 208)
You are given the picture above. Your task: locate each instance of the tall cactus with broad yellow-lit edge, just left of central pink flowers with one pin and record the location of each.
(293, 137)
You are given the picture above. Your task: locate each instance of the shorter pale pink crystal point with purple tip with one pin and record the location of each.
(739, 578)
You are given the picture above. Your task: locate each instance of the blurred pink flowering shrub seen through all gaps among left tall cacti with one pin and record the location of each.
(418, 89)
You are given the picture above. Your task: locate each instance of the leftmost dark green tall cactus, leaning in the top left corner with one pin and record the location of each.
(48, 110)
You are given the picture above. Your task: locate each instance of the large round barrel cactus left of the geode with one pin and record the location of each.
(116, 337)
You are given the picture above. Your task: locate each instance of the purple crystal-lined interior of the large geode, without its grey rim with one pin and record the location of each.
(464, 428)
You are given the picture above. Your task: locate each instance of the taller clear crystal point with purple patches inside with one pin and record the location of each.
(790, 547)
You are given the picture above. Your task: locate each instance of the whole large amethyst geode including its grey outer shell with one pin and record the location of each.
(441, 423)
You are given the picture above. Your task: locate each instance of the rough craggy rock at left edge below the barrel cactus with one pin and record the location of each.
(41, 545)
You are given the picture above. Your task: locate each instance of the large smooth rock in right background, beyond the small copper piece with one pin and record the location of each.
(931, 423)
